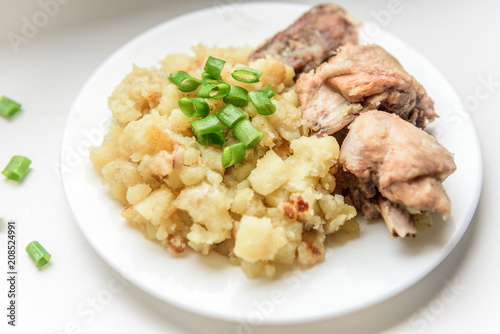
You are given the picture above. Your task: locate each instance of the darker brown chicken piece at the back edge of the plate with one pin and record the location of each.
(311, 40)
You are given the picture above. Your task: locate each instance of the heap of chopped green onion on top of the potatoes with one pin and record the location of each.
(209, 130)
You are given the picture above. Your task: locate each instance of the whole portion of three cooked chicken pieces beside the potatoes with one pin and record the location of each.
(388, 165)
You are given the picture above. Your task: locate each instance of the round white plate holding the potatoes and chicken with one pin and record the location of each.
(355, 275)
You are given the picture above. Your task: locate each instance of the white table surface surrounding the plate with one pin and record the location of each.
(79, 293)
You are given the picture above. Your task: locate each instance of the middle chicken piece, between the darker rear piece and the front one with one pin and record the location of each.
(365, 75)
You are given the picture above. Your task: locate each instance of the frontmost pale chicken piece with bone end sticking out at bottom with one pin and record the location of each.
(398, 167)
